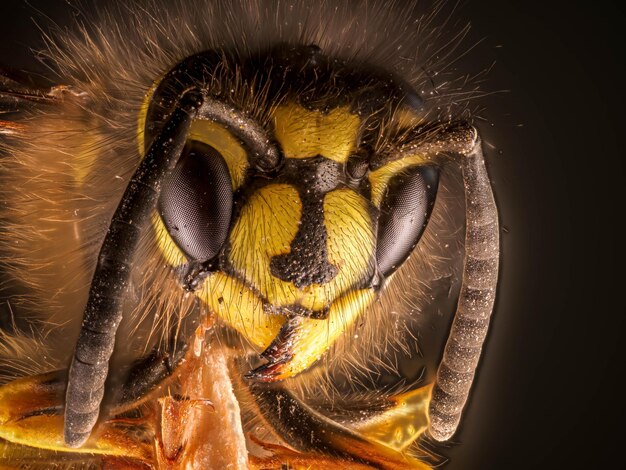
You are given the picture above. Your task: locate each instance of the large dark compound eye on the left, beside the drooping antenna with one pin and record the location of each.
(196, 202)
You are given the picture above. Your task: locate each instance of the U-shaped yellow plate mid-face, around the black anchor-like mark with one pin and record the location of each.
(269, 222)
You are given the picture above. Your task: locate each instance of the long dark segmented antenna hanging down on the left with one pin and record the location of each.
(89, 367)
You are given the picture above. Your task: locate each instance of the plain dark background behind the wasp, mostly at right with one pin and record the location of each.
(549, 393)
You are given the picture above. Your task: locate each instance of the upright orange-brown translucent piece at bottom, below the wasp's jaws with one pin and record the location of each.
(202, 428)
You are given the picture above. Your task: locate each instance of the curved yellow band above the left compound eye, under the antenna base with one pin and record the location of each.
(223, 141)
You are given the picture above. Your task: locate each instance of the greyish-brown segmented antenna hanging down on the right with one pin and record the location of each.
(475, 305)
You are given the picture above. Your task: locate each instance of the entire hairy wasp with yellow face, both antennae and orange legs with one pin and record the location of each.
(216, 232)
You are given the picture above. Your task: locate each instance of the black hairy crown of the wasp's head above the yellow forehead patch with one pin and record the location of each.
(303, 73)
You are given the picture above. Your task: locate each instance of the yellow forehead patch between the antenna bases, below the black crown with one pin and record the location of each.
(303, 133)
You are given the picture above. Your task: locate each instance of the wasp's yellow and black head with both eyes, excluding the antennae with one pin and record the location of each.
(287, 222)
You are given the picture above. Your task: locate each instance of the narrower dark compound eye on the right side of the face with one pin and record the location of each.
(404, 213)
